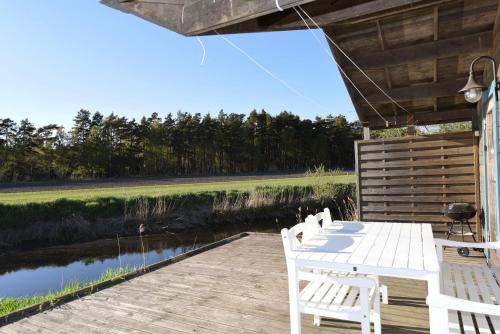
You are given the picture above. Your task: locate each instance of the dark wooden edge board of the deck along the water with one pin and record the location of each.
(48, 305)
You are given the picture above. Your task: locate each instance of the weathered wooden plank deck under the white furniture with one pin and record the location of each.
(240, 287)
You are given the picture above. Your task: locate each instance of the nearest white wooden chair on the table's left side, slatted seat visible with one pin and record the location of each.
(327, 294)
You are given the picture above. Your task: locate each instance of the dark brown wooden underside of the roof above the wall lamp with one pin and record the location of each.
(420, 57)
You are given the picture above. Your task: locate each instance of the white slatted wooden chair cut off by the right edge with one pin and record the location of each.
(470, 293)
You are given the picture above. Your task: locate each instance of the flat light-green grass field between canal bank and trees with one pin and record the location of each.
(170, 189)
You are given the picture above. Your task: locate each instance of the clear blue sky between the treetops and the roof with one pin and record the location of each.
(57, 56)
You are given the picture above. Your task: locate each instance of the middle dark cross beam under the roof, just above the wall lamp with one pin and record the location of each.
(477, 43)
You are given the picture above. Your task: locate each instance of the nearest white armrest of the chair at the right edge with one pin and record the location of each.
(458, 304)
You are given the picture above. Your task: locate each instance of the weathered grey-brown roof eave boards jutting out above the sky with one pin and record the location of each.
(200, 17)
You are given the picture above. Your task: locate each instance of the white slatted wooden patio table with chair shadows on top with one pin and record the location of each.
(400, 250)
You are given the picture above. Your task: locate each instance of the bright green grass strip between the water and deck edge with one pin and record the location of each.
(9, 304)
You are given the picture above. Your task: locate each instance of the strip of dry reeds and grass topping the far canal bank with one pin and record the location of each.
(318, 189)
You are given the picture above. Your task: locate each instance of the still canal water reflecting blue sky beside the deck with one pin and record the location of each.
(33, 272)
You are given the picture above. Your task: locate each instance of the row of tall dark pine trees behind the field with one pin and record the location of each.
(100, 146)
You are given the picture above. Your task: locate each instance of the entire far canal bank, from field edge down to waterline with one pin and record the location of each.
(70, 221)
